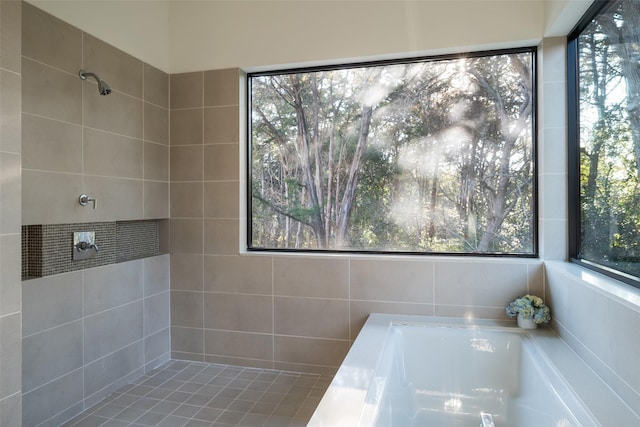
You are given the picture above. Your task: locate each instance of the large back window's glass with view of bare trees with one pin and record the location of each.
(430, 155)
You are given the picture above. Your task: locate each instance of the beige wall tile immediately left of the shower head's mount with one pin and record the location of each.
(51, 93)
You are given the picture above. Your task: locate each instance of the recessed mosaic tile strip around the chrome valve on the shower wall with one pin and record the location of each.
(48, 249)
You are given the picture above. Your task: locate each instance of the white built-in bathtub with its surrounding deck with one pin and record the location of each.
(423, 371)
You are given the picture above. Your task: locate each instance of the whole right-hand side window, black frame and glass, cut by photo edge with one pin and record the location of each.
(604, 138)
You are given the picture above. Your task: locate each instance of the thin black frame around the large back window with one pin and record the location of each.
(535, 253)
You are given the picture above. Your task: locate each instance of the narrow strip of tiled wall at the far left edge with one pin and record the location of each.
(10, 184)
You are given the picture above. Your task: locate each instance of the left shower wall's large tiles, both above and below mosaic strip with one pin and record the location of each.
(85, 333)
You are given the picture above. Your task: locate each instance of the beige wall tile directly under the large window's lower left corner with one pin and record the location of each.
(241, 274)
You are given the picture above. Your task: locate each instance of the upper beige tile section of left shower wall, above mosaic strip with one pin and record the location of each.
(113, 148)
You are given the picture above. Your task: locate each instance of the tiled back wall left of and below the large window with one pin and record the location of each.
(288, 312)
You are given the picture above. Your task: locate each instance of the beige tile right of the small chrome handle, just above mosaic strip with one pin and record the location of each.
(117, 199)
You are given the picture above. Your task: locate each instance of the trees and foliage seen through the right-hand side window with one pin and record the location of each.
(610, 141)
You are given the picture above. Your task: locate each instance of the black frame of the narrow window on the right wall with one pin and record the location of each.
(573, 150)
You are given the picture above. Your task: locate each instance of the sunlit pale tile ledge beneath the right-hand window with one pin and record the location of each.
(608, 287)
